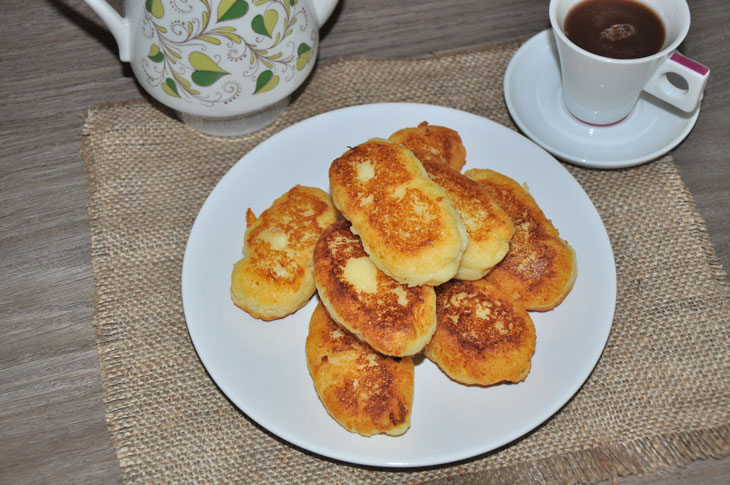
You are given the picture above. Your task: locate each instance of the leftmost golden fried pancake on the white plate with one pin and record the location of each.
(275, 277)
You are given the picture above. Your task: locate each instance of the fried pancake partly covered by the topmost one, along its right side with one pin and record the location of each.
(488, 226)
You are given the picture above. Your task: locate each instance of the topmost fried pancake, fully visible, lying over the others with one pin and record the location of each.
(407, 225)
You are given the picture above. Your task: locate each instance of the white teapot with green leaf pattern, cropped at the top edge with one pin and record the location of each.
(228, 67)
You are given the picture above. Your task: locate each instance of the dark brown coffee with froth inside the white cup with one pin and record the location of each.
(620, 29)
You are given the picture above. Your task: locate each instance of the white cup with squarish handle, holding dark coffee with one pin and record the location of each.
(602, 91)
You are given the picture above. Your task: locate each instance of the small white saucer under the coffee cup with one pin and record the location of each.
(533, 95)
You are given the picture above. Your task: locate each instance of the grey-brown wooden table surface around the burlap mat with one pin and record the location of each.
(57, 60)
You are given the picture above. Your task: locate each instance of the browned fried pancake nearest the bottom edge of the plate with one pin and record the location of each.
(364, 391)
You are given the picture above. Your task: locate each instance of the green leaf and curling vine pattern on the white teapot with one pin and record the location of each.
(184, 57)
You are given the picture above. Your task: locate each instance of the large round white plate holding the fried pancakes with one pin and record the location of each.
(261, 365)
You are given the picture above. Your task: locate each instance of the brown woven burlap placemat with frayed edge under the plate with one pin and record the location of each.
(660, 396)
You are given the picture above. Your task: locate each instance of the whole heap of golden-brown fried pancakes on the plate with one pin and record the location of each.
(424, 259)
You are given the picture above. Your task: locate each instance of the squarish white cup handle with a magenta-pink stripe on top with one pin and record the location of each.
(693, 73)
